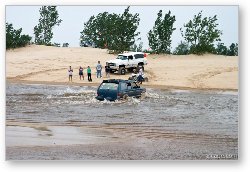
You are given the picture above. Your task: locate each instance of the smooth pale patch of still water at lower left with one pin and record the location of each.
(53, 135)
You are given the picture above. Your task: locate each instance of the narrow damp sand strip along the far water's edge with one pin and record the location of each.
(161, 87)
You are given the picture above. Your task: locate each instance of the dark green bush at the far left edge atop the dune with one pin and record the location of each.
(14, 38)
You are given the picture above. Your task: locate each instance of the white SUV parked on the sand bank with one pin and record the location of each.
(127, 61)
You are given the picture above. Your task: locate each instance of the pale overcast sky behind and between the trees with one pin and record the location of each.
(26, 17)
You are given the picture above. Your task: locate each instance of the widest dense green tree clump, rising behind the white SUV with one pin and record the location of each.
(112, 31)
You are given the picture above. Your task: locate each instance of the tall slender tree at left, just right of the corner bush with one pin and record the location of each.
(49, 17)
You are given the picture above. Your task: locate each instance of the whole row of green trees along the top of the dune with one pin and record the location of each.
(118, 33)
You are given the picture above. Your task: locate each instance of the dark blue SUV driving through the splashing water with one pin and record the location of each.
(113, 89)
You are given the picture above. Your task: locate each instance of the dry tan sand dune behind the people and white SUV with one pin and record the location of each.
(43, 64)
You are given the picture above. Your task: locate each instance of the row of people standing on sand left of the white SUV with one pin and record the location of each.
(98, 72)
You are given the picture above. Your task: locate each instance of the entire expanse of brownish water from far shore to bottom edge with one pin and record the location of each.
(165, 124)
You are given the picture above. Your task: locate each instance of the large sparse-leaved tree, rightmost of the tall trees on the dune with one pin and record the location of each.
(201, 33)
